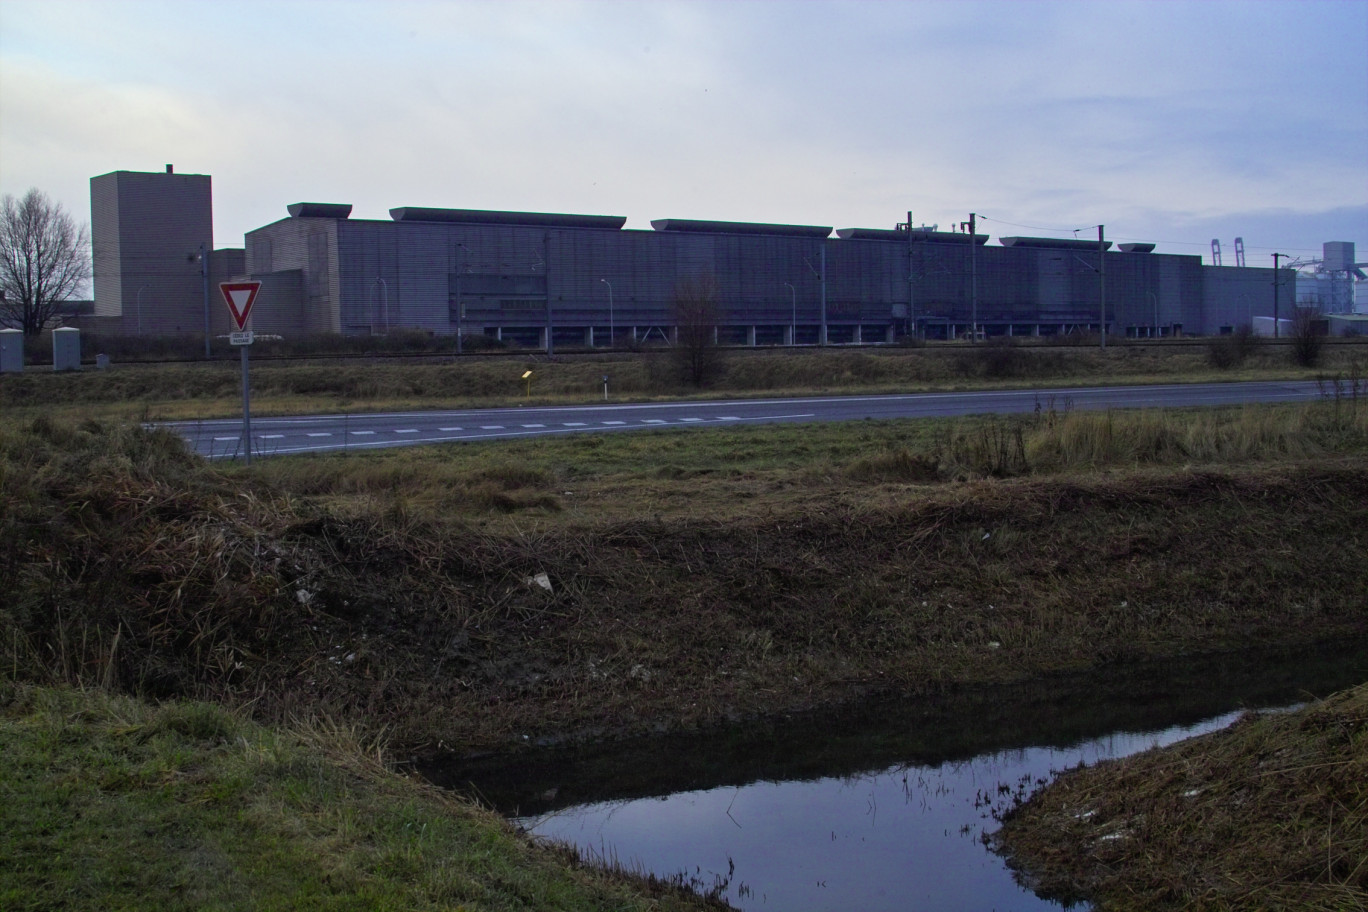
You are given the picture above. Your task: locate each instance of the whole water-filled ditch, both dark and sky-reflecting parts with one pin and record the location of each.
(882, 806)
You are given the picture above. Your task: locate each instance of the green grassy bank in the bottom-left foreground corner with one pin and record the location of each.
(107, 803)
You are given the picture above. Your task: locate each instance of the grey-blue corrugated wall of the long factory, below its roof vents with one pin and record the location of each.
(374, 277)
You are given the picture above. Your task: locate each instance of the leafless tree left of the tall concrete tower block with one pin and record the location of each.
(44, 259)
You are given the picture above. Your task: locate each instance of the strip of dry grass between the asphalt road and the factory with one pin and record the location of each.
(214, 389)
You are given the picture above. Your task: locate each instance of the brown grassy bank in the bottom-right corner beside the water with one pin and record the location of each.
(1270, 814)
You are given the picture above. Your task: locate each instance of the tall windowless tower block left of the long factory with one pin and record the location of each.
(147, 230)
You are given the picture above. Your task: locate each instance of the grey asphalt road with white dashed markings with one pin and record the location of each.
(222, 438)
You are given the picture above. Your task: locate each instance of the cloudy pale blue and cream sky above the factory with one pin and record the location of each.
(1174, 122)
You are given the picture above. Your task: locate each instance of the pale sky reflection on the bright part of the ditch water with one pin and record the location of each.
(899, 839)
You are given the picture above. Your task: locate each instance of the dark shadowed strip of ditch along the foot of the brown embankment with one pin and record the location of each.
(930, 731)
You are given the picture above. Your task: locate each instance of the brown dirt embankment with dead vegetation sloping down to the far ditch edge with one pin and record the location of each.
(128, 563)
